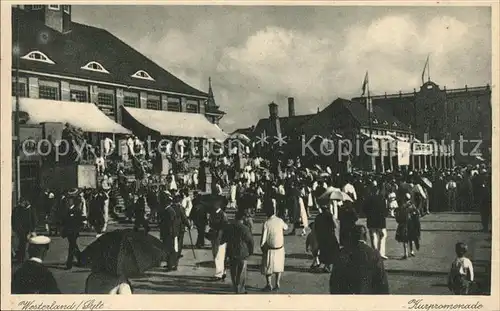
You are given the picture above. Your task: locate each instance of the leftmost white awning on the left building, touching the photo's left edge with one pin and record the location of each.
(80, 115)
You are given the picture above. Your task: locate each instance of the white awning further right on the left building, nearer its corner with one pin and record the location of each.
(169, 123)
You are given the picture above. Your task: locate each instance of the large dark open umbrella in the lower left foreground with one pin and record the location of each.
(124, 252)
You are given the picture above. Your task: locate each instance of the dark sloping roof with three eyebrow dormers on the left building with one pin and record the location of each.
(83, 44)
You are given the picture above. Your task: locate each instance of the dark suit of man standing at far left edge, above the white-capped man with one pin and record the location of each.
(24, 222)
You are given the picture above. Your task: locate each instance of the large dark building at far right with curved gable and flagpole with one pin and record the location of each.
(441, 113)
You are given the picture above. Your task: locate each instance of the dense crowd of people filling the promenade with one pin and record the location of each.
(289, 197)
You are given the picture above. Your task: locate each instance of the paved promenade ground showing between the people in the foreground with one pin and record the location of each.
(424, 274)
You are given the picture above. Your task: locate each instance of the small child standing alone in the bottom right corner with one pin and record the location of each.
(462, 272)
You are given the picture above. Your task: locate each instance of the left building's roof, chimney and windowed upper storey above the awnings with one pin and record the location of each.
(63, 60)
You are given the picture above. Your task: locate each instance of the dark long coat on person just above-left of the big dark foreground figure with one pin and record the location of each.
(325, 227)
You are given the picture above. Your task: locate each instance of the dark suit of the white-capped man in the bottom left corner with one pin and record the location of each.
(33, 278)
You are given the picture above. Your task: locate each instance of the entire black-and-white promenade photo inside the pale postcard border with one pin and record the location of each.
(245, 149)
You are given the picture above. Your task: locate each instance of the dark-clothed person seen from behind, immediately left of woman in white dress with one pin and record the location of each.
(240, 246)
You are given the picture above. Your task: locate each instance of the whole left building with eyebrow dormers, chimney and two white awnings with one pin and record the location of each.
(67, 72)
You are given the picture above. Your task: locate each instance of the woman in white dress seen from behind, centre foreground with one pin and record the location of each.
(273, 248)
